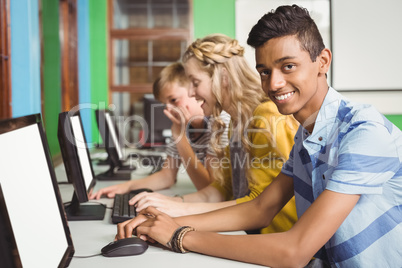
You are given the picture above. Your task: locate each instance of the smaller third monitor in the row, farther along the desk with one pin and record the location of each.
(113, 144)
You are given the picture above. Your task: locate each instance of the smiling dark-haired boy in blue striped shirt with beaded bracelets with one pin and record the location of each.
(345, 170)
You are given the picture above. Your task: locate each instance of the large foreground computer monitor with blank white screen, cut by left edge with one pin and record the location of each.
(31, 195)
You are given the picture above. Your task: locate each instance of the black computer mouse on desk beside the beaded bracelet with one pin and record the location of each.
(125, 247)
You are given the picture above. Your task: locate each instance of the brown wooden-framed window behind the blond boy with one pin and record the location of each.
(144, 37)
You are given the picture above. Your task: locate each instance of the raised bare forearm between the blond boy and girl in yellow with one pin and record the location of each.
(197, 172)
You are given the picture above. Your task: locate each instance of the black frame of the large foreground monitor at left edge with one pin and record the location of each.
(35, 119)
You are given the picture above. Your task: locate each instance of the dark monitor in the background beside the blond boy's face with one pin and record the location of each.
(157, 123)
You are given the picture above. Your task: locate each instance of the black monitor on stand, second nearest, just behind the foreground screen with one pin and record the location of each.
(78, 167)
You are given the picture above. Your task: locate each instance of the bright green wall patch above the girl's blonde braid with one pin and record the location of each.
(211, 16)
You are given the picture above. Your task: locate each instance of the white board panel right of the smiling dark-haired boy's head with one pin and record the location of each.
(367, 40)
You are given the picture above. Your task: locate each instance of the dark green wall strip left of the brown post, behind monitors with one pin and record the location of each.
(51, 72)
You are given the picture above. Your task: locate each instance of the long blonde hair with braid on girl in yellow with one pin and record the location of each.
(217, 52)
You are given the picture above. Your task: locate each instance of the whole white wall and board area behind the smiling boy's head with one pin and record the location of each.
(366, 40)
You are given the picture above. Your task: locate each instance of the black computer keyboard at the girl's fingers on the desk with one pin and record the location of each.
(121, 210)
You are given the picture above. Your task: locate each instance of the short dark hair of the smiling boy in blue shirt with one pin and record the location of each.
(284, 21)
